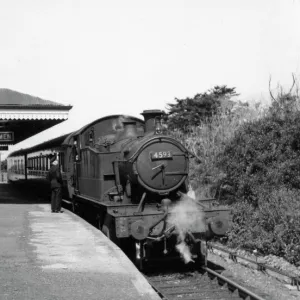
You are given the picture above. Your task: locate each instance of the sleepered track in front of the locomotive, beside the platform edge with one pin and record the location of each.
(199, 285)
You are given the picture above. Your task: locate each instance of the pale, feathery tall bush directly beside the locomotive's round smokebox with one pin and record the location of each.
(208, 141)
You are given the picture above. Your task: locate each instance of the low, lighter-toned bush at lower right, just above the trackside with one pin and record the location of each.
(271, 228)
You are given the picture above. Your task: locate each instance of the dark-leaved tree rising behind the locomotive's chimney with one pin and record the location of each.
(192, 111)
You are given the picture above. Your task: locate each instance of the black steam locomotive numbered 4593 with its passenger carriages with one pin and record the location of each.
(128, 174)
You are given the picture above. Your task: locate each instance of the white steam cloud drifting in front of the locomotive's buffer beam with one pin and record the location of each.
(186, 216)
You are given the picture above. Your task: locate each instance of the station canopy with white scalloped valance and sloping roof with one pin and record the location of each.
(22, 116)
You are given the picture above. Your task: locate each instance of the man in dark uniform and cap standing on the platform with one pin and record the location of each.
(55, 178)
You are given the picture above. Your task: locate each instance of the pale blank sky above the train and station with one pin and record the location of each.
(122, 57)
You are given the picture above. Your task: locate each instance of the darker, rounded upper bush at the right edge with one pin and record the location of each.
(262, 155)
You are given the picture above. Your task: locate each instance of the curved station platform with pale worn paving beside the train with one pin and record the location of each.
(46, 255)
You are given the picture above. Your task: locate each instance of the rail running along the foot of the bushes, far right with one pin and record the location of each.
(295, 280)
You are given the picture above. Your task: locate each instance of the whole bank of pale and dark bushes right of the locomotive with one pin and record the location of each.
(250, 158)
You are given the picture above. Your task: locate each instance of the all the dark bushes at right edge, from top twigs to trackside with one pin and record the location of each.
(262, 178)
